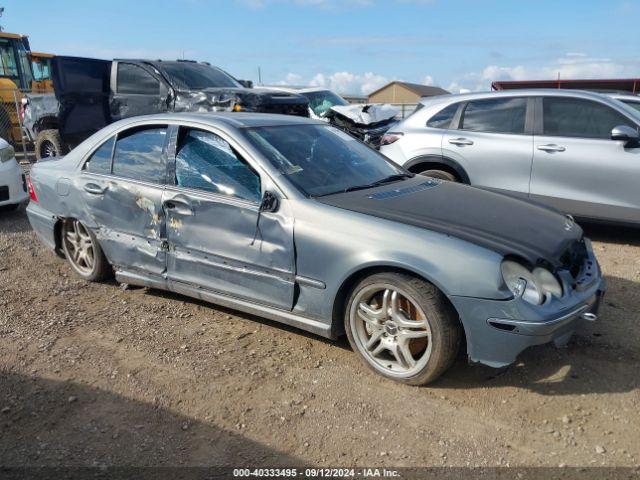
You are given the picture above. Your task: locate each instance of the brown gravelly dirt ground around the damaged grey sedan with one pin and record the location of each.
(95, 375)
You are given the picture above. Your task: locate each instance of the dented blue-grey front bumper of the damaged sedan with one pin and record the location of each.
(498, 331)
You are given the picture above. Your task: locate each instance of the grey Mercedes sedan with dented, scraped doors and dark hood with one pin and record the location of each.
(294, 220)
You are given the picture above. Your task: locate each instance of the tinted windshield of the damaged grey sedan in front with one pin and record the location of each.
(321, 160)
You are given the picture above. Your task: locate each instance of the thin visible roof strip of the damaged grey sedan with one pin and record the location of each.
(233, 119)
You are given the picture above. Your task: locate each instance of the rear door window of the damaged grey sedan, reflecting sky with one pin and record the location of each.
(138, 155)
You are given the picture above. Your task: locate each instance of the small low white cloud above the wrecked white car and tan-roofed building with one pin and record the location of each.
(340, 82)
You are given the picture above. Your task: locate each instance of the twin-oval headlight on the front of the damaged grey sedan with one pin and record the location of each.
(533, 286)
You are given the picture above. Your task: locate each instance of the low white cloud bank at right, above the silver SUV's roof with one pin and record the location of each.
(570, 66)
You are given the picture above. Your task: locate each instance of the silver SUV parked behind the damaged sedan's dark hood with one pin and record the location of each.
(574, 150)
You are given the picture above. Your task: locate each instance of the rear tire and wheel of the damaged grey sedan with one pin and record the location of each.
(96, 270)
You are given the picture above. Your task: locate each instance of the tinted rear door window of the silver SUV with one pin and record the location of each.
(500, 115)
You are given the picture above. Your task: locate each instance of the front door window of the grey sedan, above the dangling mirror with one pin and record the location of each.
(207, 162)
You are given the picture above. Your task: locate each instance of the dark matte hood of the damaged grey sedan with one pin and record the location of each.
(502, 223)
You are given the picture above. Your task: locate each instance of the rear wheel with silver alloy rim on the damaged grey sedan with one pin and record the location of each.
(83, 251)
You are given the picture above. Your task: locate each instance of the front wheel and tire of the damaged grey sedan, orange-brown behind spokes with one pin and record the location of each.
(445, 329)
